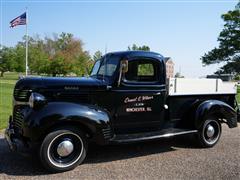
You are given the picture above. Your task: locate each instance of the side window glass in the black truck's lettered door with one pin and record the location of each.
(143, 70)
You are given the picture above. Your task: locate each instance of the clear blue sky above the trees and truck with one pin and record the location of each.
(183, 30)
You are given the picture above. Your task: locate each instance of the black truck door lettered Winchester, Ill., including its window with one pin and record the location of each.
(141, 96)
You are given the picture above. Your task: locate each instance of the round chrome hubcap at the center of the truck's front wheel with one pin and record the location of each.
(65, 148)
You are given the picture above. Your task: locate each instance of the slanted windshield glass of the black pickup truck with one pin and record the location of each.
(105, 66)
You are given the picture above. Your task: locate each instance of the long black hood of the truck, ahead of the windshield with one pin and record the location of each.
(60, 83)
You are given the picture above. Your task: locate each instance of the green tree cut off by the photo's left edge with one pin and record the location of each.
(6, 60)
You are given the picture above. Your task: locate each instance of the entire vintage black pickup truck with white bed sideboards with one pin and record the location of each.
(127, 98)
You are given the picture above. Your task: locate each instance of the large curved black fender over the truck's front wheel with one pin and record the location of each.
(92, 117)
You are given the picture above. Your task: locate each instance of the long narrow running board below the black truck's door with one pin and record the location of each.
(127, 138)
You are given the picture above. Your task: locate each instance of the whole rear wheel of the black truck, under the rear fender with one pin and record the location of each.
(209, 133)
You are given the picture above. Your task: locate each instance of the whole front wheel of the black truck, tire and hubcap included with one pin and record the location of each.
(63, 149)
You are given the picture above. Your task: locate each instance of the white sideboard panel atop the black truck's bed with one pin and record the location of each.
(191, 86)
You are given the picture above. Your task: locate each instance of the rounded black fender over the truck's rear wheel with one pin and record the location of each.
(219, 108)
